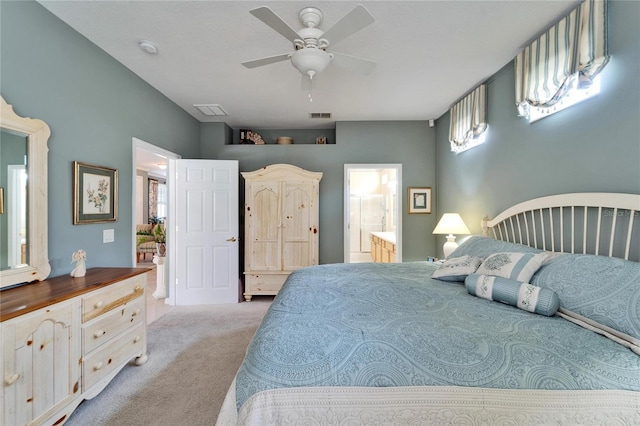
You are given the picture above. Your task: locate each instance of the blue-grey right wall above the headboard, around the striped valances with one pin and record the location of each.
(591, 147)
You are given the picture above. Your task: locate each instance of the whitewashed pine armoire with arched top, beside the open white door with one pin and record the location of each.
(281, 225)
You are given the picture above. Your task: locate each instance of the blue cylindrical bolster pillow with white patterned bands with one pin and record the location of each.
(521, 295)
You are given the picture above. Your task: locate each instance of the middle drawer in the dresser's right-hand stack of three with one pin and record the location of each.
(111, 324)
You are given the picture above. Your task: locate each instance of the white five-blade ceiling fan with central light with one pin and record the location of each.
(310, 44)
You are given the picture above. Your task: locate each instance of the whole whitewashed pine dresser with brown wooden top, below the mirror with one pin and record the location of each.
(64, 339)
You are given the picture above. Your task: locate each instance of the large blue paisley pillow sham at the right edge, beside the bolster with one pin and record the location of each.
(602, 291)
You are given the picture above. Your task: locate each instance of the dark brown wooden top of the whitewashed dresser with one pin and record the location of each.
(30, 297)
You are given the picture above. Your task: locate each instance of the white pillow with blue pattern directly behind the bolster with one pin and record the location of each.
(515, 266)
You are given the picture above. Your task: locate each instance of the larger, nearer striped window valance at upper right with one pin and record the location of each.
(570, 54)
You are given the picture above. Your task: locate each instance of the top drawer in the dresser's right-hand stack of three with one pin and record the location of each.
(104, 300)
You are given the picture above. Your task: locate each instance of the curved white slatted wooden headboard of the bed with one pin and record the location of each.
(594, 222)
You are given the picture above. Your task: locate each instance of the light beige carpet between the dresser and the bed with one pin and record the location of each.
(194, 353)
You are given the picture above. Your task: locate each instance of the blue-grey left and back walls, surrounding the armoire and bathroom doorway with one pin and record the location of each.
(94, 106)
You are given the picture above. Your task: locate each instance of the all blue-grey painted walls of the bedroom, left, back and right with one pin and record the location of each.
(94, 106)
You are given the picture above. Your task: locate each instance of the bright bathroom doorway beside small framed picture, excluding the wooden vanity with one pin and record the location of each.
(372, 206)
